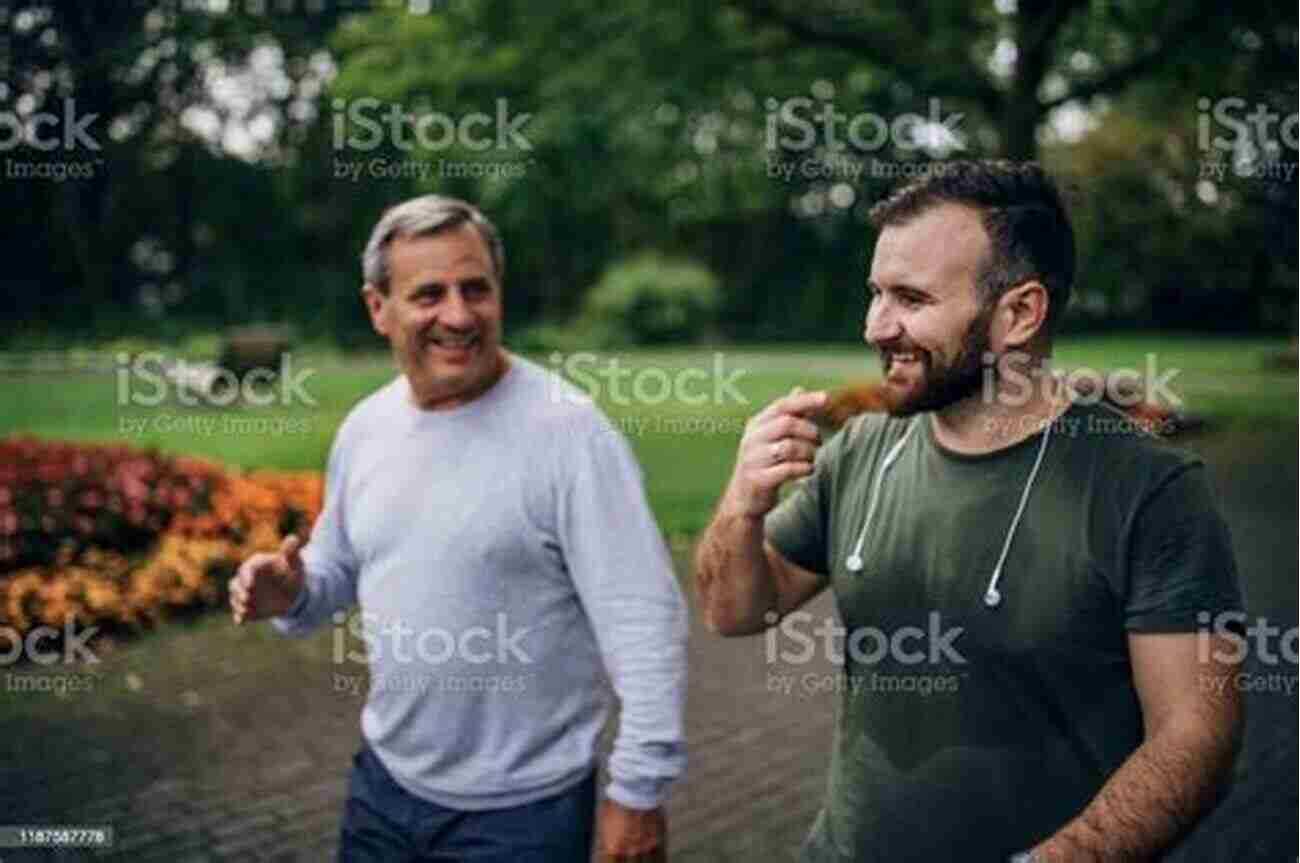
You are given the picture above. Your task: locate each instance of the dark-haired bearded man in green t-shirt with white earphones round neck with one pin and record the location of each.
(1042, 571)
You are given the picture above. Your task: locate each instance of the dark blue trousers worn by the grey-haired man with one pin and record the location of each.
(383, 823)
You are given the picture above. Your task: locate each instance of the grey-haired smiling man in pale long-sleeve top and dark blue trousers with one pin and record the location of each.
(493, 528)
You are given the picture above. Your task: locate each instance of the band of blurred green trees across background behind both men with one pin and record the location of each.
(647, 125)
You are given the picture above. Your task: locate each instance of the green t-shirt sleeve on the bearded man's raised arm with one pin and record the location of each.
(799, 528)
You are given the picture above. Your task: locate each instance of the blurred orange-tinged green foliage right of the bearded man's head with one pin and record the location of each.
(1169, 232)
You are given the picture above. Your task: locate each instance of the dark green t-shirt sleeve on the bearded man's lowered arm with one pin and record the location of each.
(1182, 570)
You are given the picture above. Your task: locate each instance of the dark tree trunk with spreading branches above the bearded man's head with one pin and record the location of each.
(1015, 62)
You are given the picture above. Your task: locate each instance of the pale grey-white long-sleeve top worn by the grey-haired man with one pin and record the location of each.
(505, 561)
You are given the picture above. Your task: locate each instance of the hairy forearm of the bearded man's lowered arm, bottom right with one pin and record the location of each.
(1156, 796)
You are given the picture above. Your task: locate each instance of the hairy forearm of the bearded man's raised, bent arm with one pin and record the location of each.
(734, 578)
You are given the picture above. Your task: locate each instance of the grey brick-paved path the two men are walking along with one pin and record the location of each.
(210, 743)
